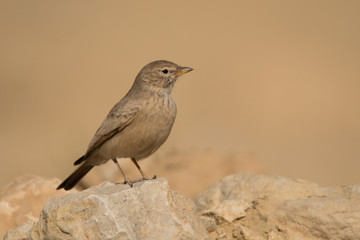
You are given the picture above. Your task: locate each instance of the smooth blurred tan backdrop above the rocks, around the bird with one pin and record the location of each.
(276, 81)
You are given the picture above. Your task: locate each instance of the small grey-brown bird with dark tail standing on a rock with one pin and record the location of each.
(137, 125)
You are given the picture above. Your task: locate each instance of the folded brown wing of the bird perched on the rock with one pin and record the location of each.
(115, 122)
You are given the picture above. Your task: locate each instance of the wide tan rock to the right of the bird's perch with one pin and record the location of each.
(259, 207)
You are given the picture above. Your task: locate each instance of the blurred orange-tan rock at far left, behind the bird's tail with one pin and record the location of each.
(23, 199)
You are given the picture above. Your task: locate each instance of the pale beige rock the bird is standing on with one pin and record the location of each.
(149, 210)
